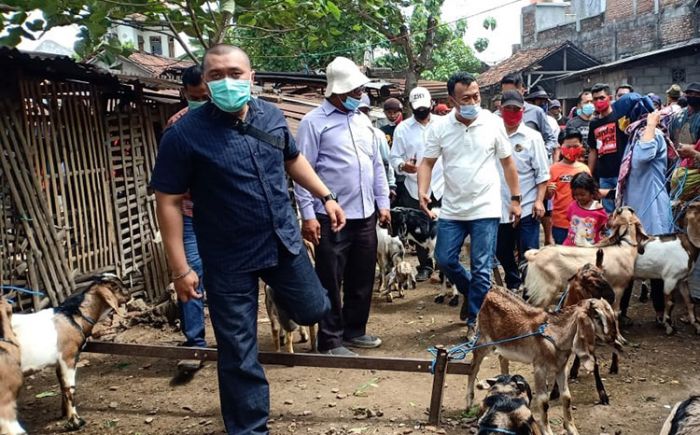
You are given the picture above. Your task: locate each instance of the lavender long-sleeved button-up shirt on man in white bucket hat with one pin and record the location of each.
(342, 149)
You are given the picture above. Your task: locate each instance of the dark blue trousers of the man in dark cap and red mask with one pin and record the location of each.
(523, 237)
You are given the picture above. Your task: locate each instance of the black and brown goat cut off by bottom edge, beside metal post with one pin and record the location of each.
(506, 407)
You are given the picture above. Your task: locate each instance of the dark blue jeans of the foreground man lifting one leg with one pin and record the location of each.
(233, 305)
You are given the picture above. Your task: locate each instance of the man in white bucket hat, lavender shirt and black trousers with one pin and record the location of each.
(339, 143)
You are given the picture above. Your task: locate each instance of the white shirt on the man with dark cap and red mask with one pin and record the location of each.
(531, 159)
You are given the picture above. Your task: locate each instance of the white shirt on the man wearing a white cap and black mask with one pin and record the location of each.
(408, 142)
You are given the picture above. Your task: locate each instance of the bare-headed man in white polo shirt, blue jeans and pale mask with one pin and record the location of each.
(472, 143)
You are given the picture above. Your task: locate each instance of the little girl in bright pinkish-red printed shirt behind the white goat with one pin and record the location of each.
(586, 214)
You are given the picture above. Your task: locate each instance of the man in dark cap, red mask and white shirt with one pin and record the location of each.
(530, 157)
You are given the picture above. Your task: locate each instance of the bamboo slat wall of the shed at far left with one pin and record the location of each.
(74, 202)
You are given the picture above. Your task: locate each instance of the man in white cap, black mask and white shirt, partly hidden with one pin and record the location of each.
(406, 155)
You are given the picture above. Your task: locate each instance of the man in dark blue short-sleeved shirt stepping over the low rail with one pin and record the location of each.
(244, 224)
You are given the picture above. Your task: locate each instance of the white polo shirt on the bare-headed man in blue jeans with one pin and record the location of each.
(470, 159)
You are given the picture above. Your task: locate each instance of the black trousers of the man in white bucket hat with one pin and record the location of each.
(346, 260)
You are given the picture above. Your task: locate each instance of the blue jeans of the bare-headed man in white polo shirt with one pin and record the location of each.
(476, 282)
